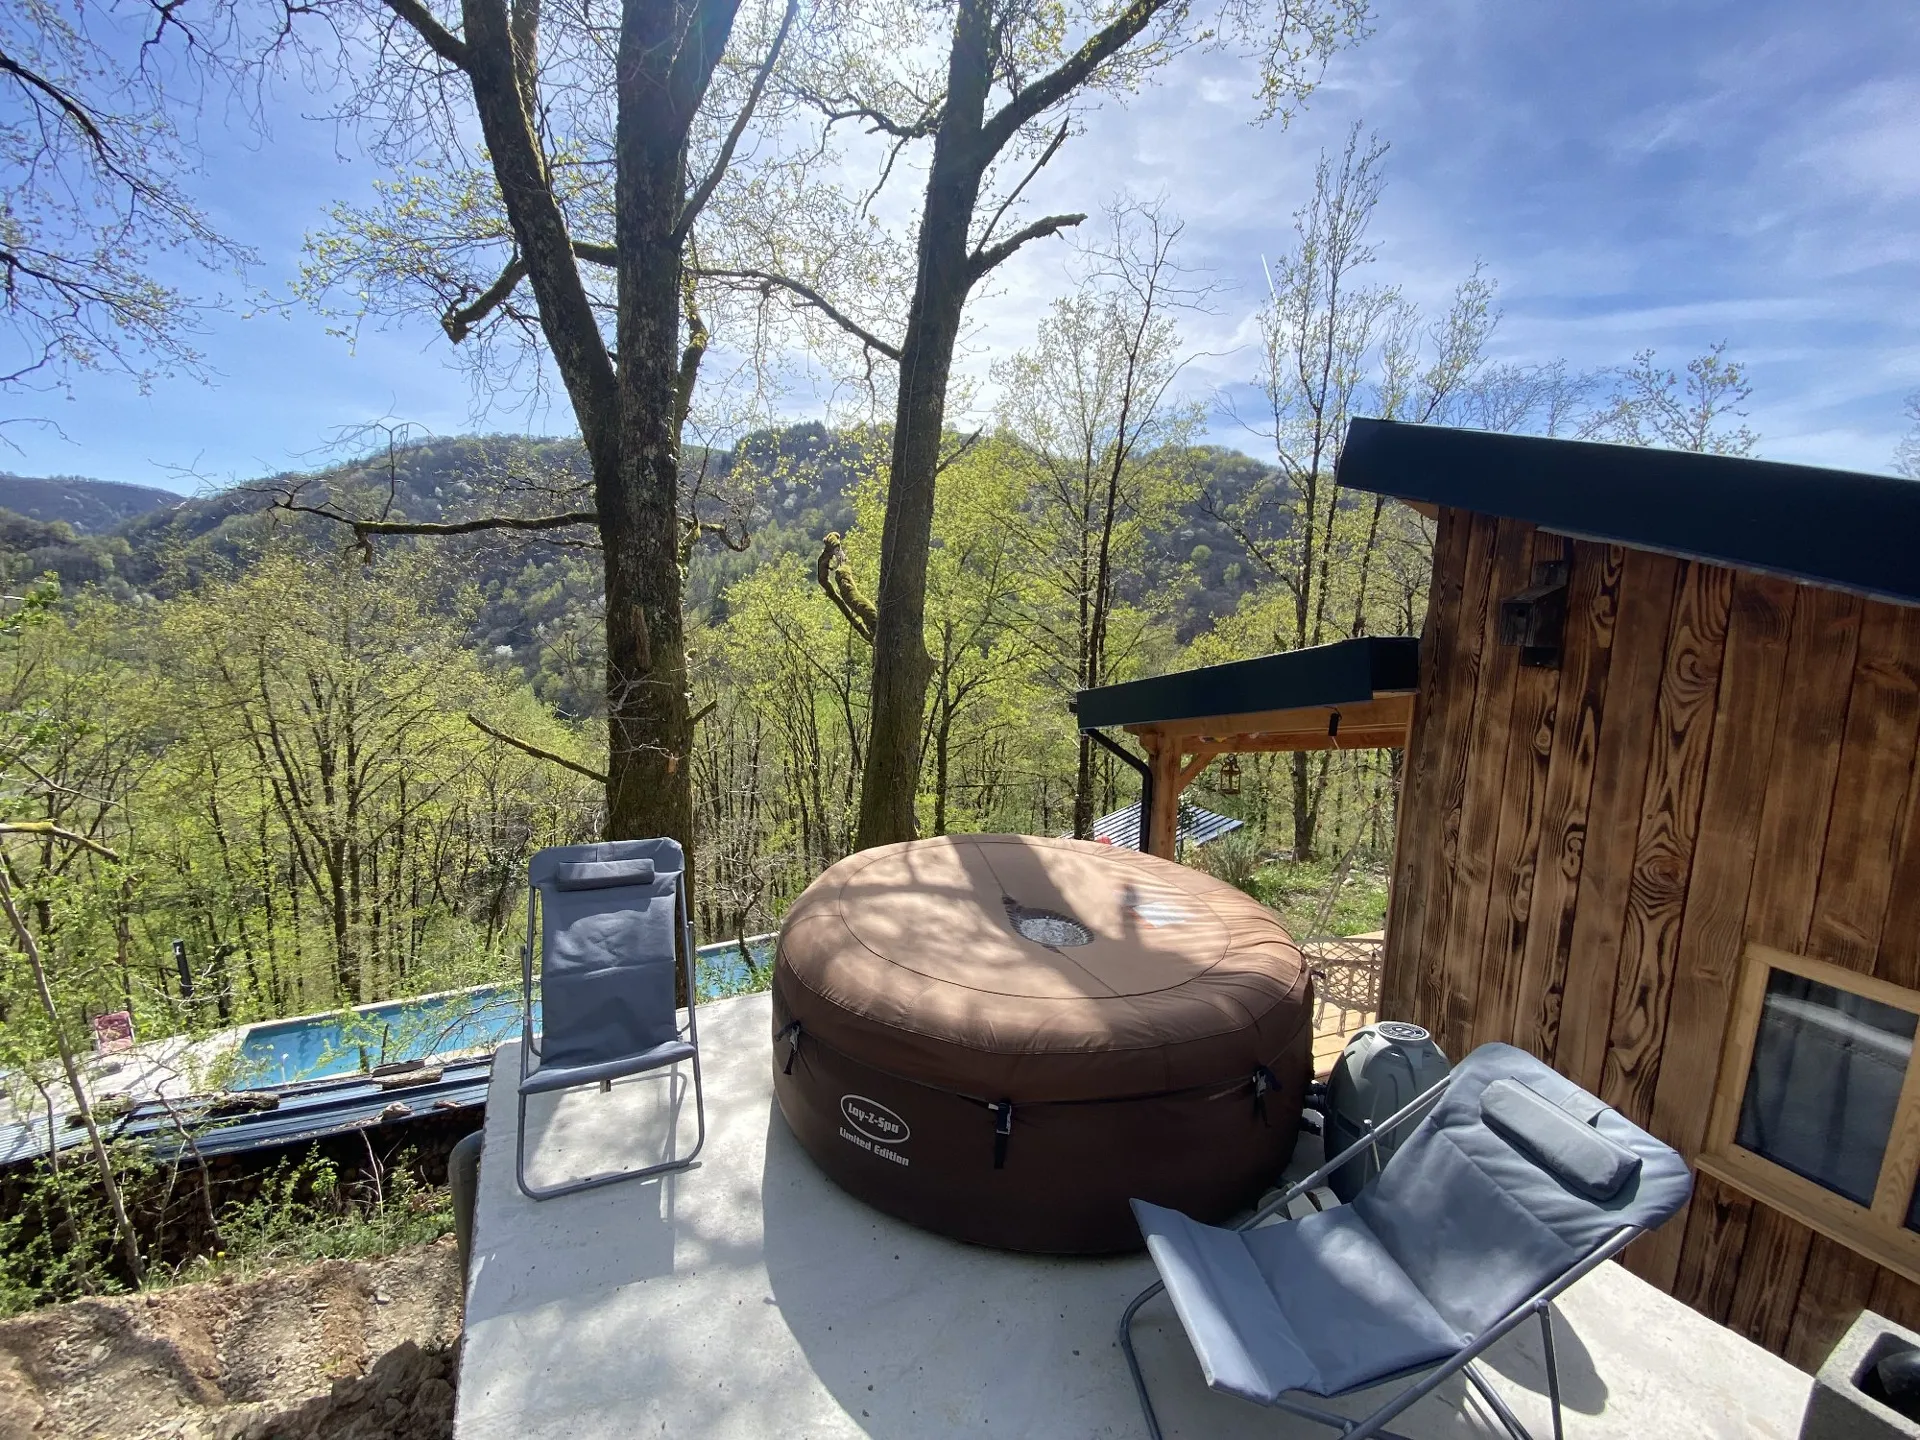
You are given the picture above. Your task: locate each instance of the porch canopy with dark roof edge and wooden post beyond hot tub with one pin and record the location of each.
(1355, 694)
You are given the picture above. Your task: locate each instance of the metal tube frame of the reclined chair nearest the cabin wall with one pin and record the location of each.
(1462, 1362)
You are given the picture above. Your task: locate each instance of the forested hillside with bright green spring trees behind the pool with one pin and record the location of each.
(285, 748)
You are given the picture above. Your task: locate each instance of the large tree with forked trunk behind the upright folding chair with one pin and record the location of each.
(606, 137)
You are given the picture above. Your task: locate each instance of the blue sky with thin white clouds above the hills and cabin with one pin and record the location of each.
(1635, 176)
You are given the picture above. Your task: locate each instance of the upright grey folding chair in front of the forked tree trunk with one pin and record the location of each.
(612, 928)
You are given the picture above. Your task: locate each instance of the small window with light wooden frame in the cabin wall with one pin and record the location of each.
(1817, 1109)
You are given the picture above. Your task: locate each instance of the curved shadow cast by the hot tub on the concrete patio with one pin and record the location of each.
(919, 1335)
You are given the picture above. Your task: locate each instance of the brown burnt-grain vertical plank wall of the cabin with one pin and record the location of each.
(1721, 757)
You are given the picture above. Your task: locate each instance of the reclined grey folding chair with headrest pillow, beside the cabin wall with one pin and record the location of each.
(1514, 1188)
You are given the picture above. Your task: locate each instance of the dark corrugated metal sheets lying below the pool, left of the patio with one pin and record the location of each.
(304, 1113)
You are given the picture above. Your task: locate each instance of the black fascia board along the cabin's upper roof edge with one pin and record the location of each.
(1823, 527)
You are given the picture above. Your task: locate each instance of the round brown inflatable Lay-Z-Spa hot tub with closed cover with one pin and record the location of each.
(1005, 1038)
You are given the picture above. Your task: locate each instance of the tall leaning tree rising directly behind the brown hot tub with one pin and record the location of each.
(986, 93)
